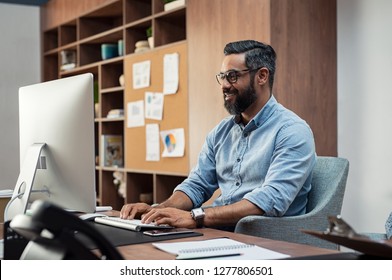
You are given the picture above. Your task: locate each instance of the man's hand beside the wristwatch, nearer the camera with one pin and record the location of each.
(171, 216)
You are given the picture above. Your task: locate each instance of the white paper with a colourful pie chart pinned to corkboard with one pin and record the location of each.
(174, 142)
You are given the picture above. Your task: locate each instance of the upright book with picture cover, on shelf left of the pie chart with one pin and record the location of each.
(112, 150)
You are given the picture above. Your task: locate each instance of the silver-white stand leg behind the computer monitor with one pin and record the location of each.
(24, 185)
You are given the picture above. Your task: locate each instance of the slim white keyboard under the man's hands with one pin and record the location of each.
(134, 225)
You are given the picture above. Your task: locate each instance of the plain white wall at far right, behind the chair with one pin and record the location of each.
(365, 110)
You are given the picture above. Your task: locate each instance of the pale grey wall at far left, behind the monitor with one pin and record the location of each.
(20, 65)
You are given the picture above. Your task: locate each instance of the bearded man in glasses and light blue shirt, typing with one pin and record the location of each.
(261, 158)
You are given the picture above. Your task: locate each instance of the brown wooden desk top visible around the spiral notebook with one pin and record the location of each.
(147, 251)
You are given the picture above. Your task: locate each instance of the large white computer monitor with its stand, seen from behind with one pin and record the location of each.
(57, 154)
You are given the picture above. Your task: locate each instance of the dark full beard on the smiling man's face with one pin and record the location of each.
(242, 100)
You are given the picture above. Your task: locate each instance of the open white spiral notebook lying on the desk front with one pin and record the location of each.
(219, 248)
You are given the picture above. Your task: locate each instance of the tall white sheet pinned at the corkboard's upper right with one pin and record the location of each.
(170, 73)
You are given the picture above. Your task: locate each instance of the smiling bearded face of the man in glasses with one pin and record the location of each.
(237, 96)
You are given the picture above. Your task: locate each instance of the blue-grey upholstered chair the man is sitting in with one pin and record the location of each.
(324, 199)
